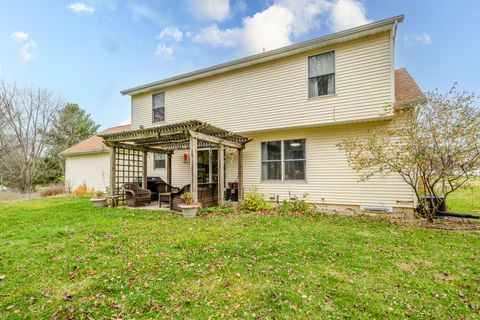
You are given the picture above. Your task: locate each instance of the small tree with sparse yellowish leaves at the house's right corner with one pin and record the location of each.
(435, 147)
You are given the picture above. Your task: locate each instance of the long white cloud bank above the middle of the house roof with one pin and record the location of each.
(284, 20)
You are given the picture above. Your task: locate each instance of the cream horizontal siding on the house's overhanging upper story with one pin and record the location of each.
(275, 94)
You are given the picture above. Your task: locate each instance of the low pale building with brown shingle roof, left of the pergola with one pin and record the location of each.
(89, 162)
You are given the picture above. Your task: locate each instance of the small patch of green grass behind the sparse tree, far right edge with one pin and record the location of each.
(465, 200)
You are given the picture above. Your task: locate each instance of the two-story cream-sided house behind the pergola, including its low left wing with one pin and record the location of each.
(294, 104)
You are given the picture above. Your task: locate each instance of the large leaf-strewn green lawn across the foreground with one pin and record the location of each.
(63, 259)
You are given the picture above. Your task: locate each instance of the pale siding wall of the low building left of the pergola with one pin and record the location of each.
(92, 169)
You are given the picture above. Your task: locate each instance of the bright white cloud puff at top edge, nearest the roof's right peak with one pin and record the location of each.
(347, 14)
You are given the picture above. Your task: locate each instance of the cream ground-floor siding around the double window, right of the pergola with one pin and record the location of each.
(329, 179)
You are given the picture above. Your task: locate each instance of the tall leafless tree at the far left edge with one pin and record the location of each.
(25, 115)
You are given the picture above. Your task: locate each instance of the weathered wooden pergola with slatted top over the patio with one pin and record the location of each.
(129, 149)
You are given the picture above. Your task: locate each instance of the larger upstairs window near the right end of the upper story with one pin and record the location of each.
(321, 74)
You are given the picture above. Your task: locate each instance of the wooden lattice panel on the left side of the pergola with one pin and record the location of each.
(128, 168)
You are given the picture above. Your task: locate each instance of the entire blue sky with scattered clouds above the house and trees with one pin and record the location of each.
(88, 50)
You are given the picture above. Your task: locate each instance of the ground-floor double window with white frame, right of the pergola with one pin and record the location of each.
(283, 160)
